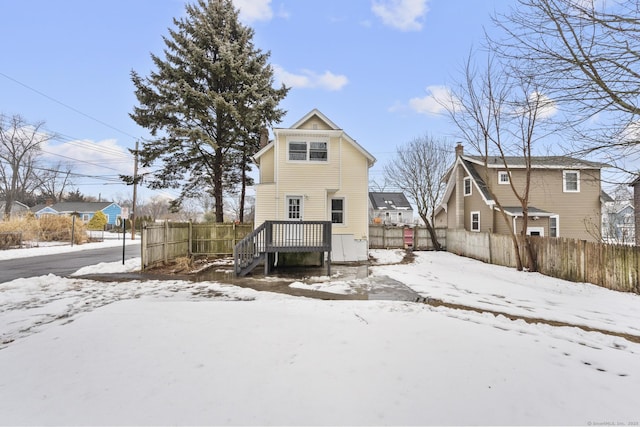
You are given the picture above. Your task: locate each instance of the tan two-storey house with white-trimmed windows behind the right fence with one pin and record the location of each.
(564, 199)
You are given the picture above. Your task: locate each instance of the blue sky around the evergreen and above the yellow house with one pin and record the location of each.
(371, 66)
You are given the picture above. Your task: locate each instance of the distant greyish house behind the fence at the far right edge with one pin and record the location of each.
(618, 220)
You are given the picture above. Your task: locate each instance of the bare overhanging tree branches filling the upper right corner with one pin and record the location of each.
(583, 54)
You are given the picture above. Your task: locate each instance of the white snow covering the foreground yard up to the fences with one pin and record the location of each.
(75, 351)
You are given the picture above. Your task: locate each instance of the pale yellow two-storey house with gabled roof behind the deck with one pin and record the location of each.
(314, 171)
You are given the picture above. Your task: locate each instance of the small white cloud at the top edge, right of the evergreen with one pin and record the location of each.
(404, 15)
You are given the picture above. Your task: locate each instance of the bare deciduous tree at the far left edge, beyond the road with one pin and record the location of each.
(19, 147)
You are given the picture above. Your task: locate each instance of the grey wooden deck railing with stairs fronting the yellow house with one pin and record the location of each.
(281, 236)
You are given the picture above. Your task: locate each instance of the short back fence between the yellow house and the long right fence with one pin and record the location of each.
(386, 237)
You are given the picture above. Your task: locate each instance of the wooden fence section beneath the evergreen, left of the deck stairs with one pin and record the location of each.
(167, 241)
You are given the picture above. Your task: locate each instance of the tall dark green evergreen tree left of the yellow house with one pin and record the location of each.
(205, 102)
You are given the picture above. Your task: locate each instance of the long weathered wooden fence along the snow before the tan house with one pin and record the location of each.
(615, 267)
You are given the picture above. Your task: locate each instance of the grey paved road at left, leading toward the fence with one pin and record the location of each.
(62, 264)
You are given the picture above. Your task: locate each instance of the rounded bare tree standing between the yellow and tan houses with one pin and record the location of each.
(418, 168)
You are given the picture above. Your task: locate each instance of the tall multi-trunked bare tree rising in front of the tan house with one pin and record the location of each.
(499, 115)
